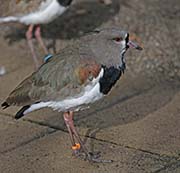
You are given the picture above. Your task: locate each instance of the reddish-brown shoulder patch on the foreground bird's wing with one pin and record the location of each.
(88, 70)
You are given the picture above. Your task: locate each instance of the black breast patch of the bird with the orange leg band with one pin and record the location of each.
(110, 77)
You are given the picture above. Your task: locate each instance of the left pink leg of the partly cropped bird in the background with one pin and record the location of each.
(30, 44)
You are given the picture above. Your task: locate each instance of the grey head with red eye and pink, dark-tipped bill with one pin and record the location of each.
(110, 45)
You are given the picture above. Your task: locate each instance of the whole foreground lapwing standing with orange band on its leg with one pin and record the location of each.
(81, 74)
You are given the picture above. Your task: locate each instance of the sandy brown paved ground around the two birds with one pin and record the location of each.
(137, 125)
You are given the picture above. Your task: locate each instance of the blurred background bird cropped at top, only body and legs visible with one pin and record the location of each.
(34, 13)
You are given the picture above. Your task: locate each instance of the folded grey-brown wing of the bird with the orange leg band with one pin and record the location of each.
(64, 75)
